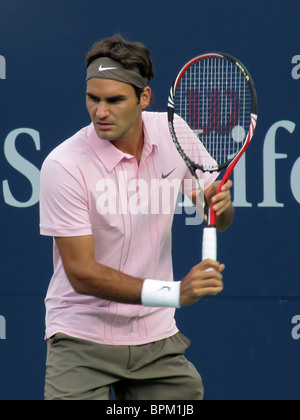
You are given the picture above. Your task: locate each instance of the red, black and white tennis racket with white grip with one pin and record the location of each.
(212, 113)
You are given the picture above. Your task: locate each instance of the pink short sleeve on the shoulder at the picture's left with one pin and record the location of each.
(64, 204)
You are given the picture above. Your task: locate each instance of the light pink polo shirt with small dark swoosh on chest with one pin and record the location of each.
(88, 187)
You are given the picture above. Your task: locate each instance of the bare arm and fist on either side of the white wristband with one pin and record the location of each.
(88, 277)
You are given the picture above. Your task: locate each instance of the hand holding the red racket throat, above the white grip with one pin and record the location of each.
(221, 203)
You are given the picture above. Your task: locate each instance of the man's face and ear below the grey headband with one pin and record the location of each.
(114, 109)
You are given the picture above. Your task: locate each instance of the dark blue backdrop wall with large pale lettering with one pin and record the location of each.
(245, 341)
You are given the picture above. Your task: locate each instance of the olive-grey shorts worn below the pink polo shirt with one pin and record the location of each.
(78, 369)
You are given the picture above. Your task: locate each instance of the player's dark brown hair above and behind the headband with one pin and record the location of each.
(131, 54)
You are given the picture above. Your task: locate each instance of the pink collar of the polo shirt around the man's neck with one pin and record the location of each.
(110, 156)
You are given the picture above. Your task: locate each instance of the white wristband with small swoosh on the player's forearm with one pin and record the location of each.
(157, 293)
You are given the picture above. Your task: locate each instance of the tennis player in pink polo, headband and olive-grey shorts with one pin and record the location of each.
(111, 302)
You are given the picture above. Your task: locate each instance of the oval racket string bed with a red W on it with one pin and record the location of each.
(213, 105)
